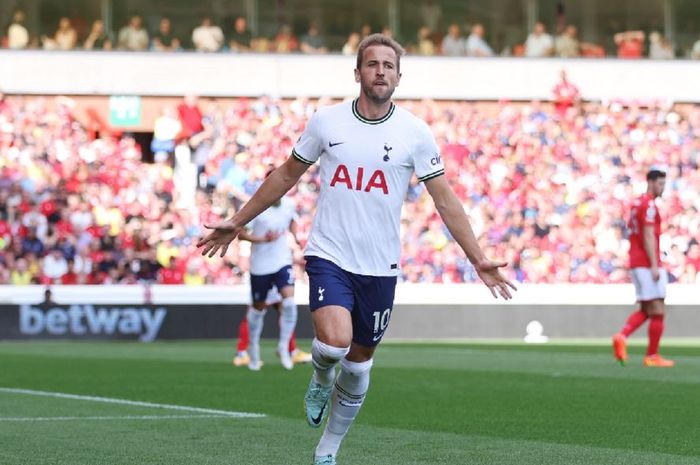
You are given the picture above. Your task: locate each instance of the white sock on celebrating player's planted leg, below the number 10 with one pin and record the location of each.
(346, 399)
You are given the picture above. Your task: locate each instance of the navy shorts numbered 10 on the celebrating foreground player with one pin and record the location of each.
(369, 299)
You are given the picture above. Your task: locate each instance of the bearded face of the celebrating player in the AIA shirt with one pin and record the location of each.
(378, 75)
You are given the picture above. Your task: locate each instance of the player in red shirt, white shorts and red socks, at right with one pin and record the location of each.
(648, 274)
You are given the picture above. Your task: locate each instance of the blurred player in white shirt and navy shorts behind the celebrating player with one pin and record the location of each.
(270, 267)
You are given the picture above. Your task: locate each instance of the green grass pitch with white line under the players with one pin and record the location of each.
(479, 403)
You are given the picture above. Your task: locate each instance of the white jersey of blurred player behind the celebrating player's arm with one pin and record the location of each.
(270, 257)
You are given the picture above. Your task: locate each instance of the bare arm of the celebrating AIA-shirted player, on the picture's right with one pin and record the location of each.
(452, 213)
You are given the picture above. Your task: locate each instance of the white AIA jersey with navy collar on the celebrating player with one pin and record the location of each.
(365, 168)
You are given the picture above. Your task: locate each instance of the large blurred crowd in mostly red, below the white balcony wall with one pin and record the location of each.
(547, 188)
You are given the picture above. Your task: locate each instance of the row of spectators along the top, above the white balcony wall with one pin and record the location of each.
(431, 38)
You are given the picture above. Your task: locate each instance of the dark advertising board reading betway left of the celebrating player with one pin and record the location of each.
(144, 323)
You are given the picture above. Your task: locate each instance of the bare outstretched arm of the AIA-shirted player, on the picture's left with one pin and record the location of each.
(272, 189)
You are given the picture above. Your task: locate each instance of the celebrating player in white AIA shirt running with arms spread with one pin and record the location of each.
(368, 150)
